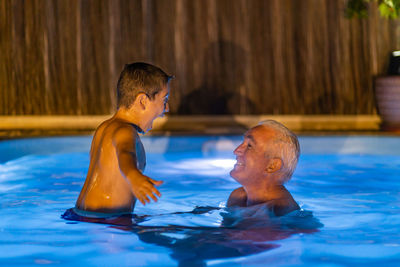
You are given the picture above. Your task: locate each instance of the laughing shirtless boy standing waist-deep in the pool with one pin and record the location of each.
(117, 158)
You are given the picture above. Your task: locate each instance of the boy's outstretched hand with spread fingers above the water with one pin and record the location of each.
(143, 187)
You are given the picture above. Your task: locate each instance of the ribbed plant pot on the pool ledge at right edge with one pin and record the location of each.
(387, 89)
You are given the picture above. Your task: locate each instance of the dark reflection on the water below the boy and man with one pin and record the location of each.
(243, 231)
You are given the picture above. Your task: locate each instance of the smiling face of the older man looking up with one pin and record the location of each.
(252, 162)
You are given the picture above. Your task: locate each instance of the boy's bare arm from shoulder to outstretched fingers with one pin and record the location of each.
(142, 186)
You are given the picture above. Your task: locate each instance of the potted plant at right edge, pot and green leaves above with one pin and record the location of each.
(387, 87)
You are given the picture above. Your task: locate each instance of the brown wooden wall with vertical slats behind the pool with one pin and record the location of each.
(228, 56)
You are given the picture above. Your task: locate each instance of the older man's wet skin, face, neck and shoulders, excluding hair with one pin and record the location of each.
(258, 170)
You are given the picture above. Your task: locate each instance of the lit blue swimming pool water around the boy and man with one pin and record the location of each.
(351, 184)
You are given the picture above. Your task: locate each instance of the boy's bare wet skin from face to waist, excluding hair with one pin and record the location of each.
(117, 159)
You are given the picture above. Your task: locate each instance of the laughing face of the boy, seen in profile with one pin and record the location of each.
(157, 107)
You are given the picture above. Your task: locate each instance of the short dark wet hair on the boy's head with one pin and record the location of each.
(138, 78)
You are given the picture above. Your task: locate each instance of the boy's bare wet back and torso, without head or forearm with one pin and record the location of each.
(105, 188)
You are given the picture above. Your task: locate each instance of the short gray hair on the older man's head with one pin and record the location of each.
(288, 148)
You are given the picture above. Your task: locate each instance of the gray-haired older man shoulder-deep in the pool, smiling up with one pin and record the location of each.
(266, 159)
